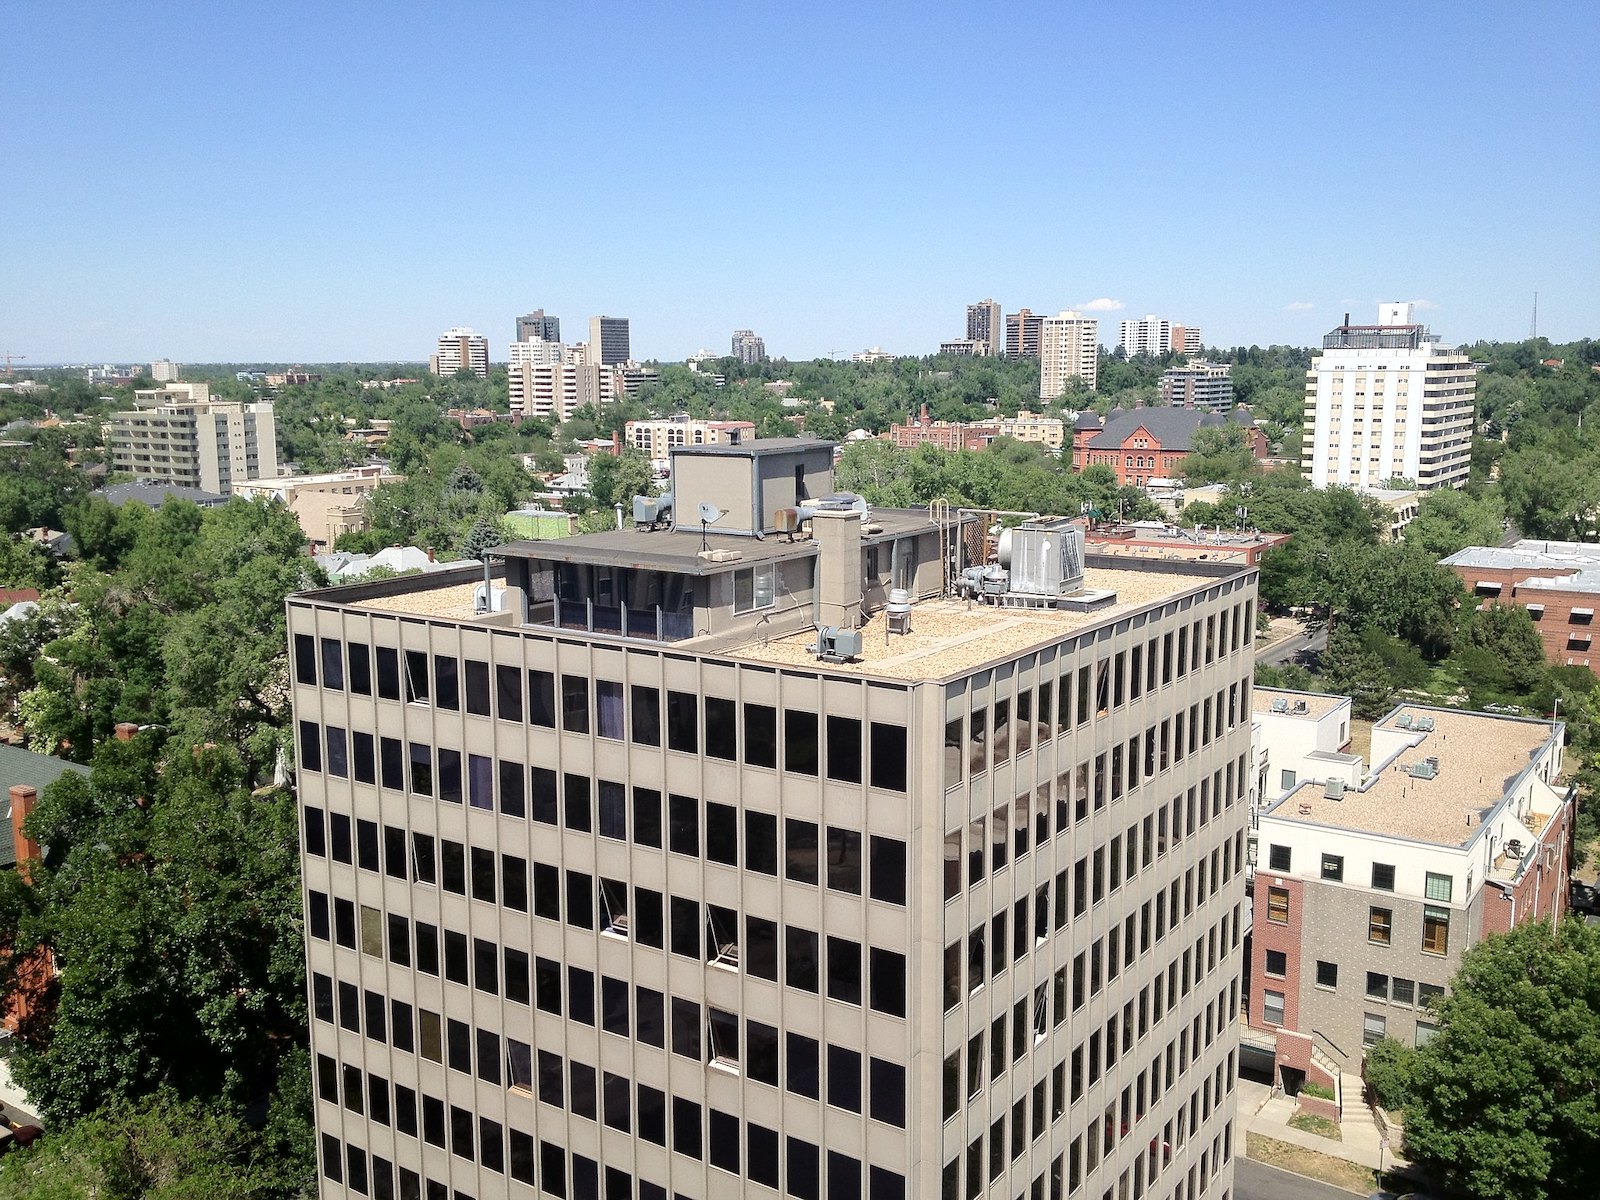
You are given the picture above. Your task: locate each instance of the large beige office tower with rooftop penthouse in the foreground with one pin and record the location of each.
(615, 889)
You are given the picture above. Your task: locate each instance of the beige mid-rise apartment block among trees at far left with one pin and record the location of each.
(180, 436)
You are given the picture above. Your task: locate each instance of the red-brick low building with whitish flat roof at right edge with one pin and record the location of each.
(1559, 585)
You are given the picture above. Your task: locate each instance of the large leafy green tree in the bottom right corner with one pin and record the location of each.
(1505, 1102)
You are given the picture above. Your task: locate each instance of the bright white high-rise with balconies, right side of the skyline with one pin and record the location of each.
(1388, 402)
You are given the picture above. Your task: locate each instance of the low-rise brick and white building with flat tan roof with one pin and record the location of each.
(1372, 884)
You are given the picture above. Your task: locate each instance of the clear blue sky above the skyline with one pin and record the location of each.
(342, 182)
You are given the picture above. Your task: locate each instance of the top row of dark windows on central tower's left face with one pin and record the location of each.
(758, 735)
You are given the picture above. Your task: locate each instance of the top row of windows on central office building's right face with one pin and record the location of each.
(1007, 727)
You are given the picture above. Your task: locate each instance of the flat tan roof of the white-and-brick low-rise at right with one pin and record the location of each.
(1481, 761)
